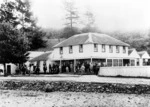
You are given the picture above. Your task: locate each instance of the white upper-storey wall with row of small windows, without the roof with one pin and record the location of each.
(90, 51)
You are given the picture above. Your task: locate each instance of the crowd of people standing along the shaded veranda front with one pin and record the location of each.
(66, 67)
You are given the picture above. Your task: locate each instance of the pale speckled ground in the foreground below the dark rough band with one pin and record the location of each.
(9, 98)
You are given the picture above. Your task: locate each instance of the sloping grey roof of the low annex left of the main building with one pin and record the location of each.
(42, 57)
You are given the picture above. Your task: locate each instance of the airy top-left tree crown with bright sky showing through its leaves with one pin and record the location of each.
(18, 13)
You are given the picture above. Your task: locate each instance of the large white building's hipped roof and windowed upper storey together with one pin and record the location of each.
(92, 48)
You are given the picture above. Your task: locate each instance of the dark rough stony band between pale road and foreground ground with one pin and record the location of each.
(65, 86)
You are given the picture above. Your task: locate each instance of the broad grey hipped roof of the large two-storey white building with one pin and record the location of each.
(87, 38)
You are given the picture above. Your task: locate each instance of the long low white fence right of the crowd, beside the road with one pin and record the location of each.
(136, 71)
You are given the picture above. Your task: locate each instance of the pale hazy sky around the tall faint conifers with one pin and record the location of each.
(110, 15)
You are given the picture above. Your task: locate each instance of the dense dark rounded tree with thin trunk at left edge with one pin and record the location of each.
(13, 45)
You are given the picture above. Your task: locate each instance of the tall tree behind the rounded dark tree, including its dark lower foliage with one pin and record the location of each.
(19, 14)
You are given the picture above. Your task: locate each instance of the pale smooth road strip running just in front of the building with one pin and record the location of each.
(81, 78)
